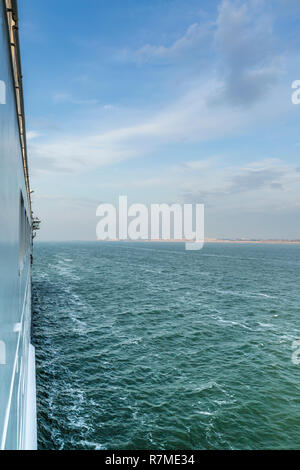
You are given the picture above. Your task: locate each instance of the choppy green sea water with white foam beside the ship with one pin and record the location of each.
(147, 346)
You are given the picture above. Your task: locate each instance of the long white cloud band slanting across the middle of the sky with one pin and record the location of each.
(191, 118)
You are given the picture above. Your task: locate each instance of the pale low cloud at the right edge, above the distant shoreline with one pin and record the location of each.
(267, 181)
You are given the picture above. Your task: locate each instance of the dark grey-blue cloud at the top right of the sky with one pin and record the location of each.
(248, 58)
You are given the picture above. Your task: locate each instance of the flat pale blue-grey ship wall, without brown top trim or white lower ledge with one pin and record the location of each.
(15, 250)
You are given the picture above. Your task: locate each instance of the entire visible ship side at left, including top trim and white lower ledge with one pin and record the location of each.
(17, 361)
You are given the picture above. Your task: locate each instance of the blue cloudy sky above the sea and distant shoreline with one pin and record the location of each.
(165, 101)
